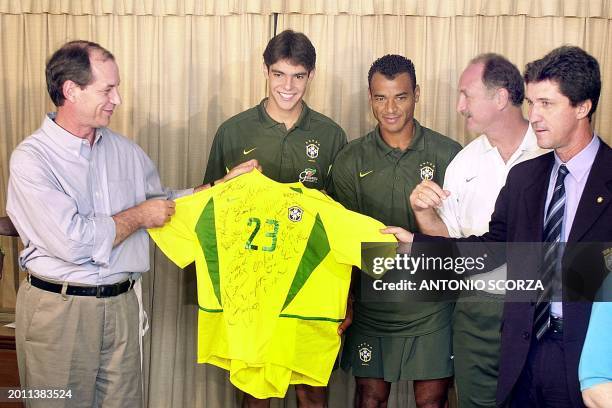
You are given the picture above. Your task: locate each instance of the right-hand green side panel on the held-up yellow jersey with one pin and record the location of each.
(316, 250)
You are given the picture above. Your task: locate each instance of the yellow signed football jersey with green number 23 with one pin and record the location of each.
(273, 264)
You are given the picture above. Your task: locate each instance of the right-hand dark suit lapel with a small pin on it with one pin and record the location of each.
(596, 196)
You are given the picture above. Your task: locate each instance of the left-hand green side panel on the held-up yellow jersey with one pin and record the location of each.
(206, 232)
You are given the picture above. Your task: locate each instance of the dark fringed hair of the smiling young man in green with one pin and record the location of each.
(292, 46)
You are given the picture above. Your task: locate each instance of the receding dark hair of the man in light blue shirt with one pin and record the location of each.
(71, 63)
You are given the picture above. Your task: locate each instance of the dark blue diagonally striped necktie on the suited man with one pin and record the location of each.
(552, 236)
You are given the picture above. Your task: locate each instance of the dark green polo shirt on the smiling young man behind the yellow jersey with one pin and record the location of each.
(303, 153)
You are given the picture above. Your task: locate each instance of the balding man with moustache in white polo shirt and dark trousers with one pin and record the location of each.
(491, 92)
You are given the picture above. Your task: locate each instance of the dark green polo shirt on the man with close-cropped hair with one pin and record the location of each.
(374, 179)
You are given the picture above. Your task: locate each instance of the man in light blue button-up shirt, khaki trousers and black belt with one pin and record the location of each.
(81, 197)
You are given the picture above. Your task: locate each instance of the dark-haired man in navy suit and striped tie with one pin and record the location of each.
(562, 196)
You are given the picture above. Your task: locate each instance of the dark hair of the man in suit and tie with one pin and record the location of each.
(575, 72)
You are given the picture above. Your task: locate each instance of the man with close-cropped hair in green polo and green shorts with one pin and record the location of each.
(374, 175)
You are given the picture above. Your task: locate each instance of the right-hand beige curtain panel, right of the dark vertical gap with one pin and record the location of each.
(440, 48)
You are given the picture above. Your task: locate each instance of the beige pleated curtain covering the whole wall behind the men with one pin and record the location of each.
(187, 65)
